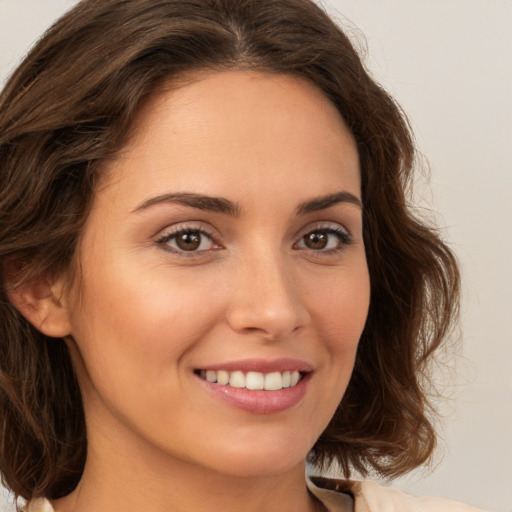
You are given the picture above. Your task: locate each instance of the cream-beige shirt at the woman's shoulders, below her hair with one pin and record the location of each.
(346, 496)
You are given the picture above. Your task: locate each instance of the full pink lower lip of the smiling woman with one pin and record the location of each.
(259, 401)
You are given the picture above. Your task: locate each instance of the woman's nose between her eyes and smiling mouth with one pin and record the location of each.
(266, 299)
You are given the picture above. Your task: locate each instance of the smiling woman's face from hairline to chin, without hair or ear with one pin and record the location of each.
(224, 244)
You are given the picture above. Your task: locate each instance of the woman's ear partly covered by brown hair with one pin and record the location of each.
(42, 302)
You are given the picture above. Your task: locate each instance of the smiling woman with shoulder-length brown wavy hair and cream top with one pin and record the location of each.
(209, 269)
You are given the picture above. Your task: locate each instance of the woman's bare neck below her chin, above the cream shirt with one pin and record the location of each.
(145, 479)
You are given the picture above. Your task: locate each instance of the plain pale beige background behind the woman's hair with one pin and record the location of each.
(449, 64)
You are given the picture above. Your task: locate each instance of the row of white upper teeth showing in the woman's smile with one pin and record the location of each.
(273, 381)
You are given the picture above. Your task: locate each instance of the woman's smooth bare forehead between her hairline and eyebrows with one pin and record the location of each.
(240, 127)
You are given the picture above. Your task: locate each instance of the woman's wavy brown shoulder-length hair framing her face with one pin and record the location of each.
(69, 107)
